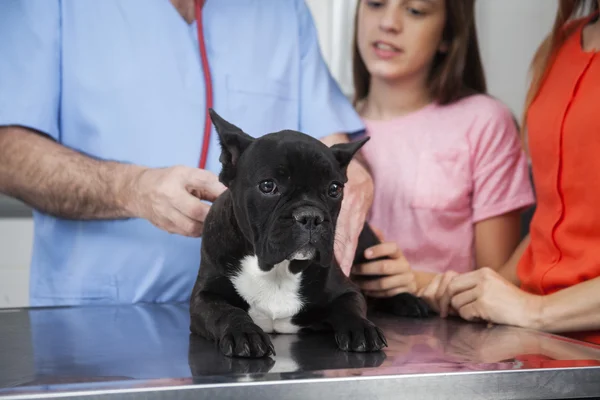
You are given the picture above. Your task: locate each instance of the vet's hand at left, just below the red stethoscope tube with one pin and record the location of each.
(170, 198)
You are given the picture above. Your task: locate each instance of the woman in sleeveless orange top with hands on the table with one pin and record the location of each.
(552, 282)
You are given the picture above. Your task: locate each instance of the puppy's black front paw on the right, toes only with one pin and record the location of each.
(360, 335)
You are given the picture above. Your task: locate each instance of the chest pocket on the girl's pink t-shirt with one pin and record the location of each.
(442, 181)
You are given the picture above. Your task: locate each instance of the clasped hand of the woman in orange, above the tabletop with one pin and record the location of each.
(485, 295)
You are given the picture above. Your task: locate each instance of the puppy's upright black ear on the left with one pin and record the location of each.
(233, 143)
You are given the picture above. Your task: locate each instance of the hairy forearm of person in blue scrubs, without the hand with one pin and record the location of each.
(59, 181)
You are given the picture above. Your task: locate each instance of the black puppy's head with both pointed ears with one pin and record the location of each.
(287, 191)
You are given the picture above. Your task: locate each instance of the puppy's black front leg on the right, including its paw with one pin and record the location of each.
(353, 331)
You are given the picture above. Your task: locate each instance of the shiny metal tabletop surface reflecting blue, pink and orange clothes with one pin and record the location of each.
(150, 345)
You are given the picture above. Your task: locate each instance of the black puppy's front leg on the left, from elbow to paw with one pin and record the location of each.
(231, 327)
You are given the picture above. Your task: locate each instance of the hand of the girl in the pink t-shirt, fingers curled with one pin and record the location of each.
(398, 277)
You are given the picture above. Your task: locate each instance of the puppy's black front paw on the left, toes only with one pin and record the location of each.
(248, 340)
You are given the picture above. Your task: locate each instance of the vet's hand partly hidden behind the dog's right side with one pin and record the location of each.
(358, 197)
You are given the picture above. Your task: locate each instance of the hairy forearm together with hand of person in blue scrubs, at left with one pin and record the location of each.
(65, 183)
